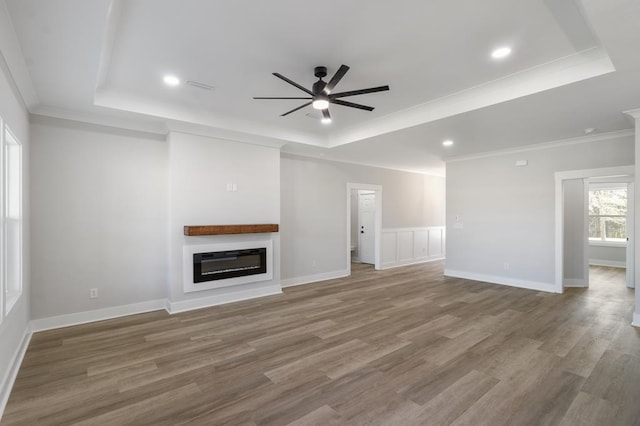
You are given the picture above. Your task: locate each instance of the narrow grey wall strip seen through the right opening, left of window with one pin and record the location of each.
(574, 233)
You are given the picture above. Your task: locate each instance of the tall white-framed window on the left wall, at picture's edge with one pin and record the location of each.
(11, 191)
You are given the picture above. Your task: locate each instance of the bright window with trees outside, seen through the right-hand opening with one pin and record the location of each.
(608, 214)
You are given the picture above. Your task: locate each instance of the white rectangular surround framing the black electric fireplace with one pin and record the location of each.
(189, 250)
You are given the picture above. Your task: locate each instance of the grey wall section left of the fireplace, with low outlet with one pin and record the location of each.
(99, 217)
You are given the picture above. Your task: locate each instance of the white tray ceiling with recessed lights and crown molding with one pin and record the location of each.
(573, 66)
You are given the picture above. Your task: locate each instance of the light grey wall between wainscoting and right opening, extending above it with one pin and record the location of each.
(507, 213)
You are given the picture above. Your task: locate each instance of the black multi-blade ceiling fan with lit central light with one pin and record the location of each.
(321, 93)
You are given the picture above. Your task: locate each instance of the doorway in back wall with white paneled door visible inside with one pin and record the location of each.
(364, 229)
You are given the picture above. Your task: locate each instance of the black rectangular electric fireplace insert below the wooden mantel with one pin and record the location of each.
(219, 265)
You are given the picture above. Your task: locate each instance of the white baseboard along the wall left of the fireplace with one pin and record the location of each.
(59, 321)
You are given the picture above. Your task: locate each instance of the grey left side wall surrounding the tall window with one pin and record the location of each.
(14, 327)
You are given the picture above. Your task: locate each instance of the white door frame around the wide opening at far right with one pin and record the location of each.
(560, 177)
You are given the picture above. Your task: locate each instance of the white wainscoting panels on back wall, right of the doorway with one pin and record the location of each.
(404, 246)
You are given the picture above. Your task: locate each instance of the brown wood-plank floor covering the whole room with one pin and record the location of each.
(399, 347)
